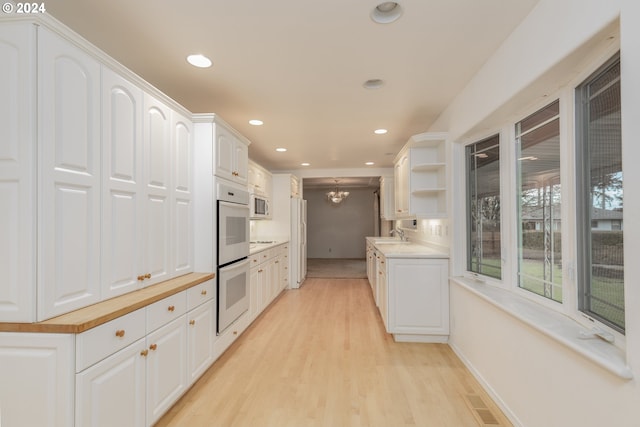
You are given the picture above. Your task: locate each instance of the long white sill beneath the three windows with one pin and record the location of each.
(555, 325)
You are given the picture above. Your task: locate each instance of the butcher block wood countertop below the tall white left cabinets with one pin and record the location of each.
(88, 317)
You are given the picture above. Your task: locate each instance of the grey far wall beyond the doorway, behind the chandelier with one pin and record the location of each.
(339, 231)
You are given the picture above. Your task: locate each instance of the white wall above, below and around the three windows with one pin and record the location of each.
(537, 381)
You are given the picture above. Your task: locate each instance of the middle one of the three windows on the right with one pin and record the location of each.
(539, 202)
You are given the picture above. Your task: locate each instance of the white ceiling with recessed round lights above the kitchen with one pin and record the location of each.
(299, 66)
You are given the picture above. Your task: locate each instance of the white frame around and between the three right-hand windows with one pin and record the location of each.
(505, 128)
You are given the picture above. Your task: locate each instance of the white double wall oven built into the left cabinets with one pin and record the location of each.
(232, 253)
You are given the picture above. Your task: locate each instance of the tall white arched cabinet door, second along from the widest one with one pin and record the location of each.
(122, 222)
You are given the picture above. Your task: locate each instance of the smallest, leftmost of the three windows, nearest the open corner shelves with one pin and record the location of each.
(483, 207)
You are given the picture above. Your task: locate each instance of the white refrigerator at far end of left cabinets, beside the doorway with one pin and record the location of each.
(298, 242)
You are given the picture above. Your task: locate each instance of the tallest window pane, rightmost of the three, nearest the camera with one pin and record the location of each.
(600, 197)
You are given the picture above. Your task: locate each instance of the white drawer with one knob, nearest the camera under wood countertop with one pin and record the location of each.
(104, 340)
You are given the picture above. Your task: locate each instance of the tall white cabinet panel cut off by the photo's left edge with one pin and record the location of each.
(17, 175)
